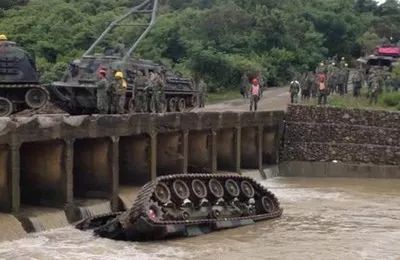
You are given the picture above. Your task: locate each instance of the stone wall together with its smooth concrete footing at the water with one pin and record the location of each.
(334, 142)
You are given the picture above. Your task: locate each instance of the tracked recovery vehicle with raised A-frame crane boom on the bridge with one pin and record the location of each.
(76, 93)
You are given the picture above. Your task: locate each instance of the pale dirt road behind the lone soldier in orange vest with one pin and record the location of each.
(273, 99)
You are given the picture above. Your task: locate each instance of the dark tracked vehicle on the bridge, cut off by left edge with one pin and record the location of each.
(19, 81)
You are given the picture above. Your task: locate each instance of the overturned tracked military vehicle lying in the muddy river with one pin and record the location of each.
(188, 205)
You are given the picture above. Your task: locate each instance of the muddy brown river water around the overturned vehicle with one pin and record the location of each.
(323, 219)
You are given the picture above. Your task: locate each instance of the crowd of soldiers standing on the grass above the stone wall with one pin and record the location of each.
(334, 77)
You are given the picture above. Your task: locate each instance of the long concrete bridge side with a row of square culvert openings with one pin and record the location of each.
(55, 161)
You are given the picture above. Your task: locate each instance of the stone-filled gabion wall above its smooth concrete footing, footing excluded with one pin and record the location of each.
(345, 135)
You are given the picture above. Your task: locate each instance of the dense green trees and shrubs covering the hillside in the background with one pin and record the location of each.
(214, 39)
